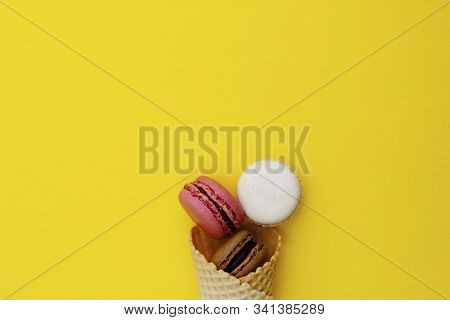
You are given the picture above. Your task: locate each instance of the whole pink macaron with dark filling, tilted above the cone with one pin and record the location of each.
(211, 207)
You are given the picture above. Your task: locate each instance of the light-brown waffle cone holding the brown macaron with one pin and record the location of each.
(219, 285)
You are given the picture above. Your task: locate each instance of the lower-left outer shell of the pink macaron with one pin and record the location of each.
(201, 215)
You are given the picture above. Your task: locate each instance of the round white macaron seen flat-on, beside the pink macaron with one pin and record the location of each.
(269, 192)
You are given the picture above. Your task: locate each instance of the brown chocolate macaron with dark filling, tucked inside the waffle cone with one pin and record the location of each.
(239, 255)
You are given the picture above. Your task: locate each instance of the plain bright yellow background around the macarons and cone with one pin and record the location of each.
(379, 148)
